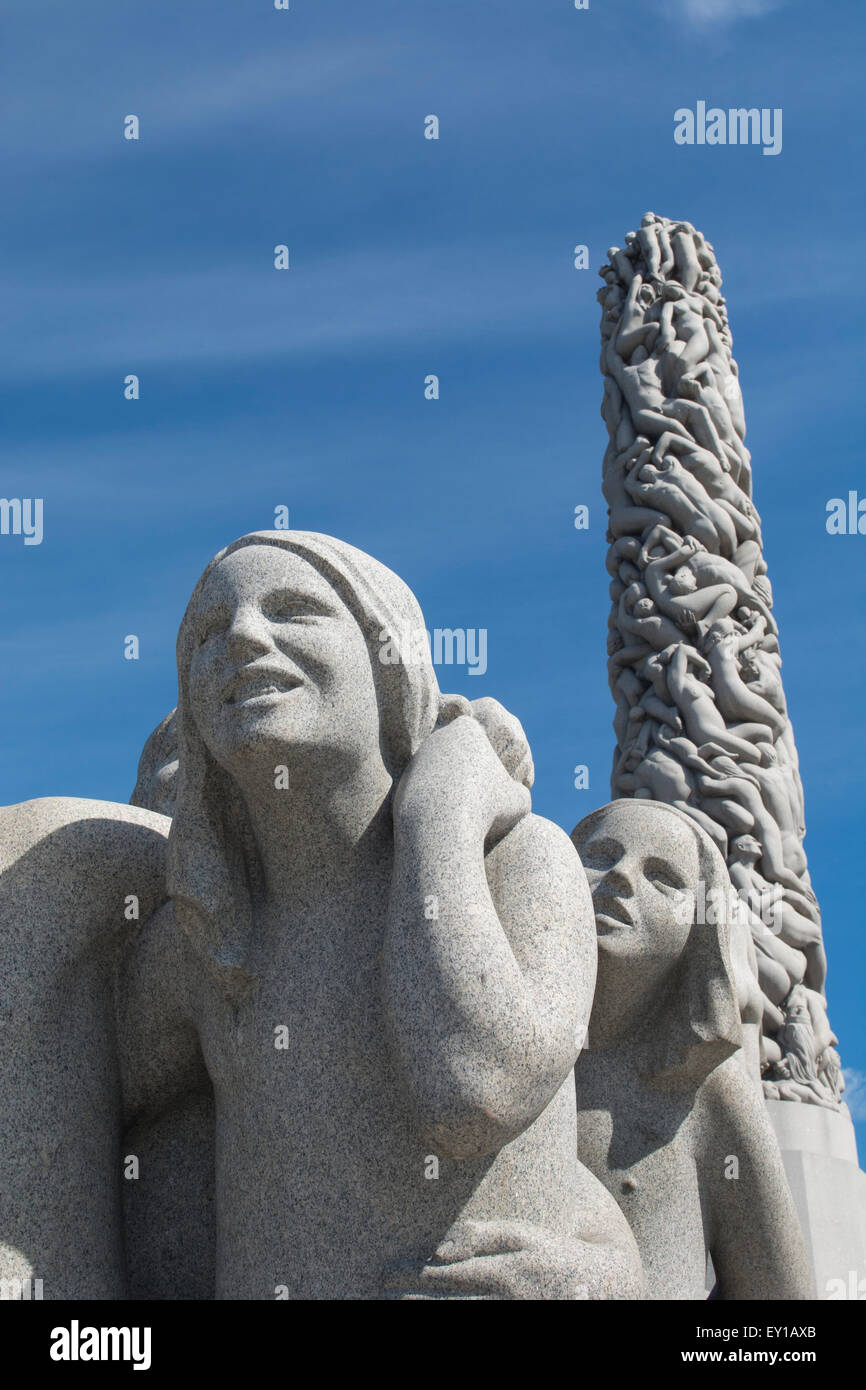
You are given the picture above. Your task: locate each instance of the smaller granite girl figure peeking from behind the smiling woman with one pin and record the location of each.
(669, 1118)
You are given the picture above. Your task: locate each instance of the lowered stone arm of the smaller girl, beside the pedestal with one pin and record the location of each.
(753, 1228)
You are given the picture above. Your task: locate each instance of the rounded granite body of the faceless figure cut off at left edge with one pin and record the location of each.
(69, 869)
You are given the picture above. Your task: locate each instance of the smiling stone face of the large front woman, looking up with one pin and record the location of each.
(280, 669)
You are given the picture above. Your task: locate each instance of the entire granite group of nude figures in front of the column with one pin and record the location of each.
(336, 1038)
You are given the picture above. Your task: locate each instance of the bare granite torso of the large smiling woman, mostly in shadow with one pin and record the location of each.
(322, 1171)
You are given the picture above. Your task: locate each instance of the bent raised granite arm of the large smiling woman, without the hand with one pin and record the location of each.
(489, 975)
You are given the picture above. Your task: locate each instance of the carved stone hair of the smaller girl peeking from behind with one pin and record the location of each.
(696, 1022)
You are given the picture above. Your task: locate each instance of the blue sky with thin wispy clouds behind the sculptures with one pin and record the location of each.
(411, 256)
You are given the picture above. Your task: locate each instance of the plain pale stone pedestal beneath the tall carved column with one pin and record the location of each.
(819, 1152)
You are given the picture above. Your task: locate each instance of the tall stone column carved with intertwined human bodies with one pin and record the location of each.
(694, 654)
